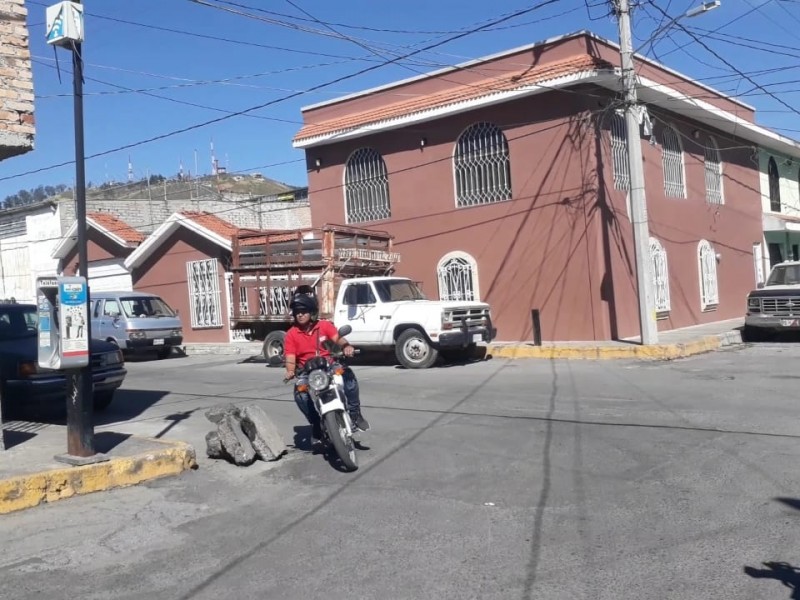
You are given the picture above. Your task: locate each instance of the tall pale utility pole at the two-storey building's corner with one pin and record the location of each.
(641, 232)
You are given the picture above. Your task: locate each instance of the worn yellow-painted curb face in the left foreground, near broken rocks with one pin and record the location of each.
(26, 491)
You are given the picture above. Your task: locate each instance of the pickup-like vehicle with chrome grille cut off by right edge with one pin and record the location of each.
(775, 305)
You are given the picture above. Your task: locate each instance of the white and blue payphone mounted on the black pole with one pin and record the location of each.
(63, 339)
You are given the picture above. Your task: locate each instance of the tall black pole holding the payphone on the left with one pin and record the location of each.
(80, 429)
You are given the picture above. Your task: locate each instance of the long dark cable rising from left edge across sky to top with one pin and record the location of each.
(314, 88)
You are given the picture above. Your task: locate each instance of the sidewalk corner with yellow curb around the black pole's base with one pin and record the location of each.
(30, 475)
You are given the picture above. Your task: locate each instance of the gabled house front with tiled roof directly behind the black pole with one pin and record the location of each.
(109, 241)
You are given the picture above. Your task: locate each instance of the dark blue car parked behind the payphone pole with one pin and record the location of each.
(24, 384)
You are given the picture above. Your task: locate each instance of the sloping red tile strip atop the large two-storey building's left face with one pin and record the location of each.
(454, 95)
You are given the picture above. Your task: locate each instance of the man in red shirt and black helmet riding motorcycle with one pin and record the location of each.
(304, 341)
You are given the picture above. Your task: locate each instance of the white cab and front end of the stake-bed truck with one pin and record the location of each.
(392, 313)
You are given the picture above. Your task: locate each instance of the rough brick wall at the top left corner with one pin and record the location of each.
(16, 81)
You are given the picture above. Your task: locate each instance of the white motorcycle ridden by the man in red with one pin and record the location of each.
(322, 378)
